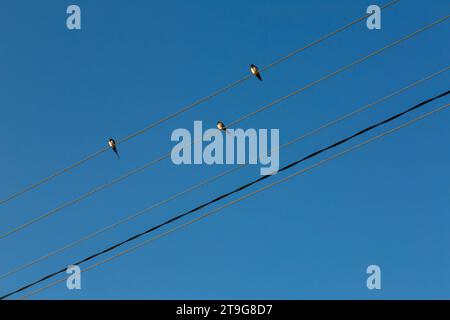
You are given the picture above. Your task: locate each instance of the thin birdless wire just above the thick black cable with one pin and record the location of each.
(214, 178)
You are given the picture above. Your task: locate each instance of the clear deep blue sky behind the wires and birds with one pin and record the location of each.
(64, 93)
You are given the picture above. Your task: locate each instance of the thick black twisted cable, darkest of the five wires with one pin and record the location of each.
(236, 190)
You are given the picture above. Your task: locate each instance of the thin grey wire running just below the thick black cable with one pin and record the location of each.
(317, 164)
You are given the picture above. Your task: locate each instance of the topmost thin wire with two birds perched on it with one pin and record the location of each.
(185, 109)
